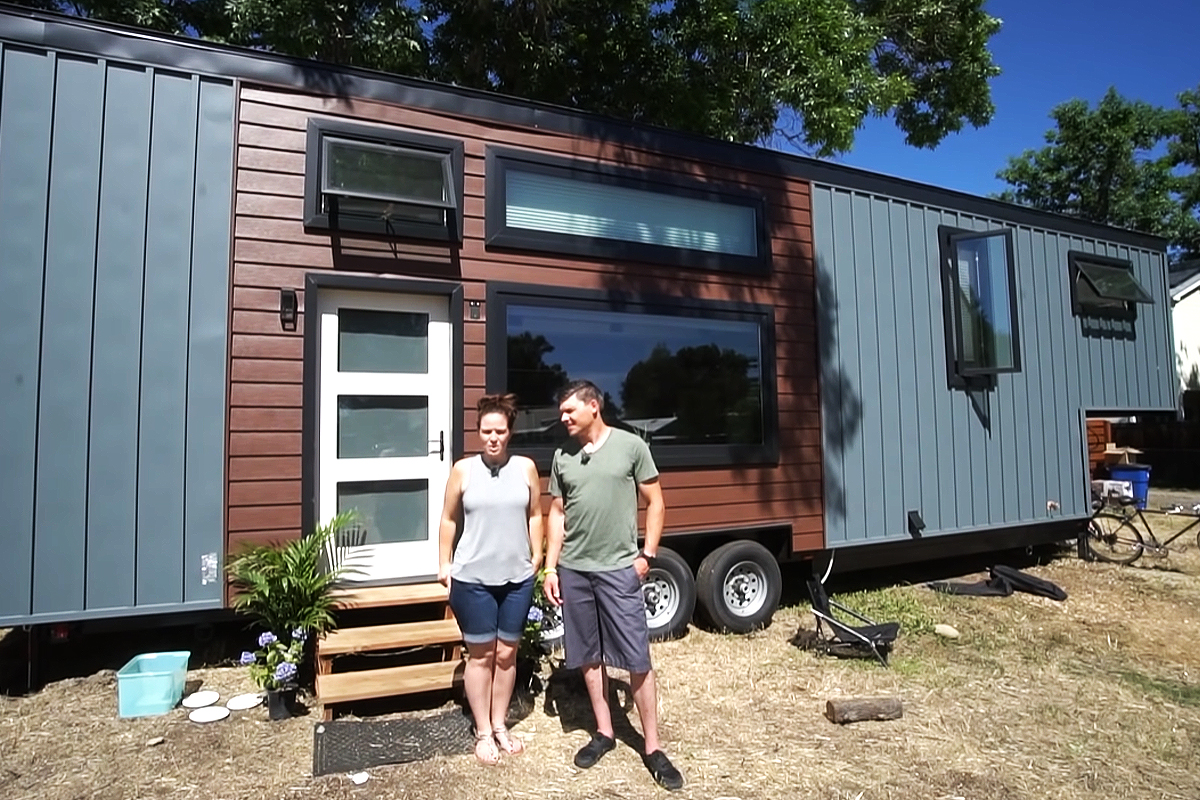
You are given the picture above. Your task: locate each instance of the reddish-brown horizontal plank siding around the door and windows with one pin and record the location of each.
(273, 251)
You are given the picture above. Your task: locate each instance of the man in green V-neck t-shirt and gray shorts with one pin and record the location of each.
(595, 569)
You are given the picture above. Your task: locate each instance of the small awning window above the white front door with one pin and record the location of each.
(380, 181)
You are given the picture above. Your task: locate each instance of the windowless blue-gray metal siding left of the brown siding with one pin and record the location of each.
(115, 212)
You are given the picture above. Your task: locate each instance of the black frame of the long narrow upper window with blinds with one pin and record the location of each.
(499, 234)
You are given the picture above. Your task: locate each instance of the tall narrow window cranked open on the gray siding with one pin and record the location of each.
(980, 284)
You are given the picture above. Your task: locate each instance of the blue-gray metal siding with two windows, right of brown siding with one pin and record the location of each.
(898, 438)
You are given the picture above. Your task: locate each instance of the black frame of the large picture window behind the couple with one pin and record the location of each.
(501, 296)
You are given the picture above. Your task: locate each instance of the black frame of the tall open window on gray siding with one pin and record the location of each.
(961, 376)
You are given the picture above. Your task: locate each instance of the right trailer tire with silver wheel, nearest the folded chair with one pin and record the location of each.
(739, 587)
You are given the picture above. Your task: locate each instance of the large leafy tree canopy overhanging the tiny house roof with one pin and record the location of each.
(809, 71)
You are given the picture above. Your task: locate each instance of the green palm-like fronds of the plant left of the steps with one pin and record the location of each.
(287, 587)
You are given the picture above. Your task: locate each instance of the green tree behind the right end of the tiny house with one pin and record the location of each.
(1107, 165)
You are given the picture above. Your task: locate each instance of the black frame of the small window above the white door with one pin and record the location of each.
(316, 218)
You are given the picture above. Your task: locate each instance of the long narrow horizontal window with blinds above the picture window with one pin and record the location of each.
(537, 202)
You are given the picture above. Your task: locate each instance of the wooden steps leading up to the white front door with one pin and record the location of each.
(431, 639)
